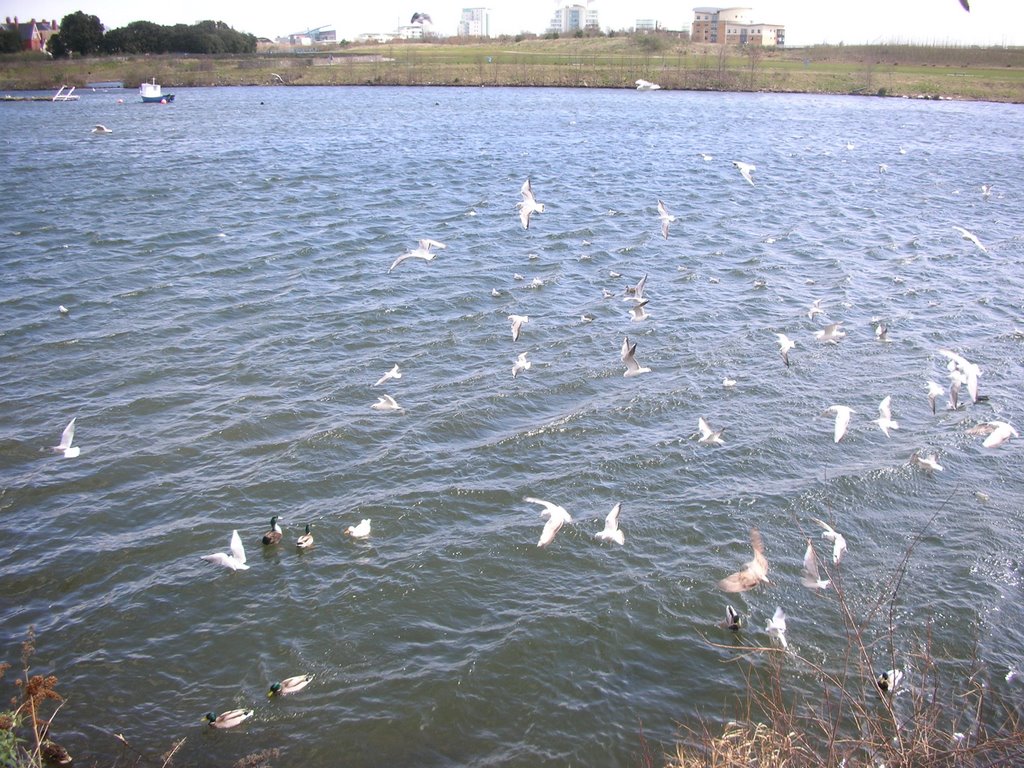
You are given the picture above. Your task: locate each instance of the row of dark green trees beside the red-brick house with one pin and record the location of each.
(83, 35)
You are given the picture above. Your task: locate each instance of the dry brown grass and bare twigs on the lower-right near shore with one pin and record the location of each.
(941, 714)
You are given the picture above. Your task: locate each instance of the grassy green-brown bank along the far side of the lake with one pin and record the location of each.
(982, 74)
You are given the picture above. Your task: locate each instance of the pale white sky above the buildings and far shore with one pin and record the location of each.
(807, 22)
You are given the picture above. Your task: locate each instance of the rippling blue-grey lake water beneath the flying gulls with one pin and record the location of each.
(225, 261)
